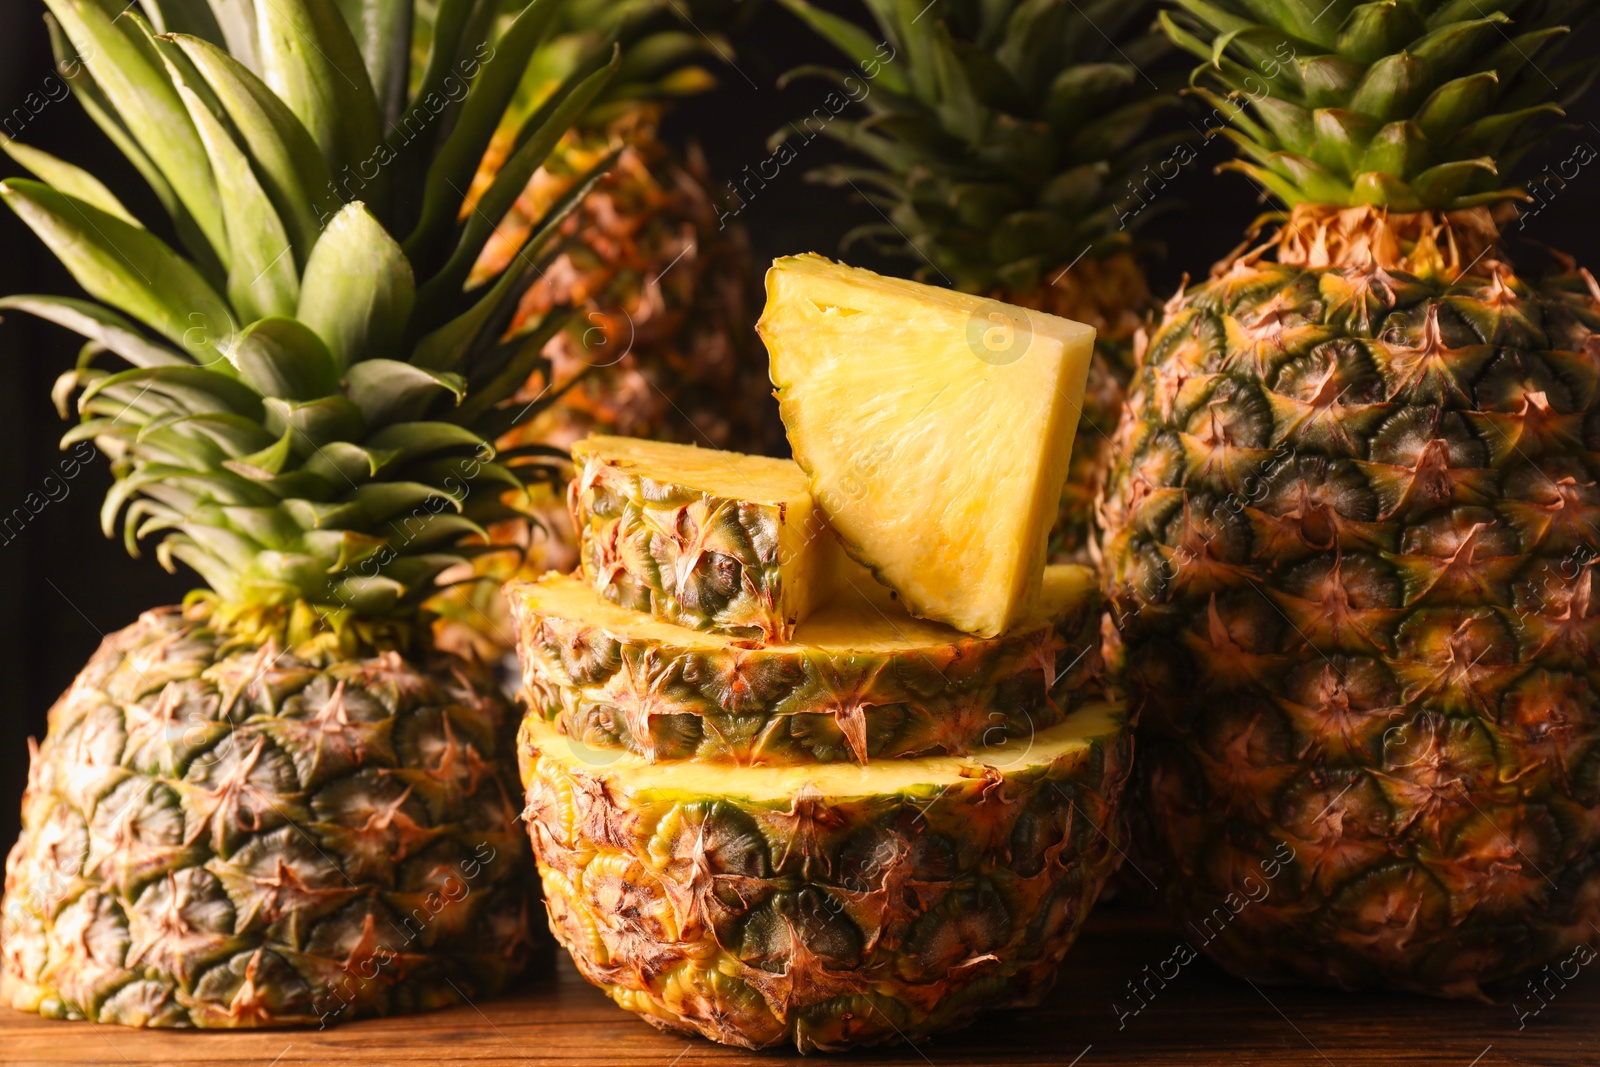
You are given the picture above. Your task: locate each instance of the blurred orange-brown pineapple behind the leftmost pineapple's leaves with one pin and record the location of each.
(660, 345)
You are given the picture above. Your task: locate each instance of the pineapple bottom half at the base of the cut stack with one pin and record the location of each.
(826, 906)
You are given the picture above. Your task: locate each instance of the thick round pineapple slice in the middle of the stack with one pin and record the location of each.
(862, 681)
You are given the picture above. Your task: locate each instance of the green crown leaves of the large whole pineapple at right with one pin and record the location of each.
(1402, 105)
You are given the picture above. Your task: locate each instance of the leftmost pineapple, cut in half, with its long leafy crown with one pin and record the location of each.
(279, 804)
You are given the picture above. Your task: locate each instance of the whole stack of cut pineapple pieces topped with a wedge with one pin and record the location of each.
(775, 802)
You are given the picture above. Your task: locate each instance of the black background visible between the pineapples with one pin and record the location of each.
(63, 586)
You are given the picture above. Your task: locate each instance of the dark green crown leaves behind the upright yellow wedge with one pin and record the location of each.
(1001, 137)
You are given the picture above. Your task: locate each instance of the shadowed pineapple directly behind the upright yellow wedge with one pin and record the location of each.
(1006, 146)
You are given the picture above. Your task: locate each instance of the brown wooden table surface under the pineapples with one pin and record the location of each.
(1201, 1018)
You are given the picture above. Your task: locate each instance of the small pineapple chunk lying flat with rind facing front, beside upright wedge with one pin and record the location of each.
(702, 538)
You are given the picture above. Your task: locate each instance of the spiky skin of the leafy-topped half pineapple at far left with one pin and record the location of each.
(242, 837)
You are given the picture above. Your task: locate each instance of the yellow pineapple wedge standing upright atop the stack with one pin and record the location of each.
(935, 430)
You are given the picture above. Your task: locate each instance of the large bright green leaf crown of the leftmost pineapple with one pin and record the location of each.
(311, 394)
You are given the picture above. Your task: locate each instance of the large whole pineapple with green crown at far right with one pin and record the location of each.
(1351, 530)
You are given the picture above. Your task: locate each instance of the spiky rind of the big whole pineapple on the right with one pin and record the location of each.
(1351, 557)
